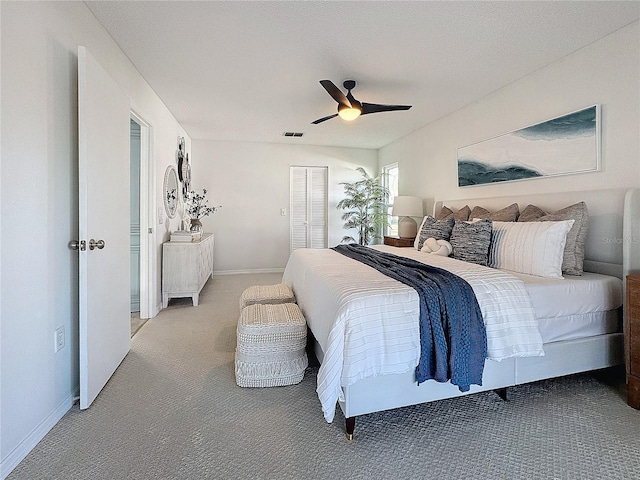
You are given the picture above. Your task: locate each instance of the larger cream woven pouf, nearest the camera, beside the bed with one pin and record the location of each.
(271, 345)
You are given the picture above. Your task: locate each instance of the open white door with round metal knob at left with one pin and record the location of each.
(103, 170)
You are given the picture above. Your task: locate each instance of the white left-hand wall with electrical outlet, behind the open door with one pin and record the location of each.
(39, 204)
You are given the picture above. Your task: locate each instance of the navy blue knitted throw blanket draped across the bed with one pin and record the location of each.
(453, 339)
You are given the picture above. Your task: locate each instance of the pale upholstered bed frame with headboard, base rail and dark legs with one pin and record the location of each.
(609, 210)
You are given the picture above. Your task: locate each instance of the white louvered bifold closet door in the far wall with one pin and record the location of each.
(308, 207)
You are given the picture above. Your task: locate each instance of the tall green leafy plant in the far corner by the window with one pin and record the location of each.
(366, 204)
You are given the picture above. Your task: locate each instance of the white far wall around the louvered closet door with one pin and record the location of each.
(251, 182)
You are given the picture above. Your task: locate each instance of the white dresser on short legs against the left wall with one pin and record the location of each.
(186, 267)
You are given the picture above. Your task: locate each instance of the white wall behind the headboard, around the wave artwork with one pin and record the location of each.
(606, 72)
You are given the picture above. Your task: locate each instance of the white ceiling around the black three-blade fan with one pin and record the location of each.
(249, 71)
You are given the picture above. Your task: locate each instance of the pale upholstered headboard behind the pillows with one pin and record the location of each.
(612, 246)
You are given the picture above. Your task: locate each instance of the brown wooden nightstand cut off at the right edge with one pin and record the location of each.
(632, 340)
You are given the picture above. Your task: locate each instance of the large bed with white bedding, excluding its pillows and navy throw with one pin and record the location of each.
(365, 324)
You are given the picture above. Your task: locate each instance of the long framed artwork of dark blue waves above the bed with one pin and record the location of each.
(560, 146)
